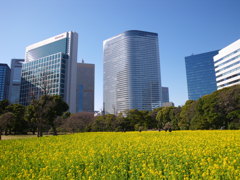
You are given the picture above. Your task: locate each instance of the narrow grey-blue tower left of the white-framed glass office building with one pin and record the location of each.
(15, 81)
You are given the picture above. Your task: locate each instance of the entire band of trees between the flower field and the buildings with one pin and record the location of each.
(219, 110)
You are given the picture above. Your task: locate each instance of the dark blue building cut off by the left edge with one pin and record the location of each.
(4, 81)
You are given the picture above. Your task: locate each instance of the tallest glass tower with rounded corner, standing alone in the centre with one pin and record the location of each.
(131, 72)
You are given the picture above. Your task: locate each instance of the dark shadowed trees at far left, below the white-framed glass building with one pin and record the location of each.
(41, 115)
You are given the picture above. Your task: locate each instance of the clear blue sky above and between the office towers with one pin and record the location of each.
(184, 27)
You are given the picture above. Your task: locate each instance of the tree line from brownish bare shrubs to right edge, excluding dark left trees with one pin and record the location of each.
(219, 110)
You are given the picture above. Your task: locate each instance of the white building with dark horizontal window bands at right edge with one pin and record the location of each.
(227, 65)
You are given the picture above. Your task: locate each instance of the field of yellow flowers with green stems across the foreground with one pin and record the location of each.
(130, 155)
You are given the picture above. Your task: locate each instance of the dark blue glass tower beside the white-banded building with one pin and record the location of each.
(201, 79)
